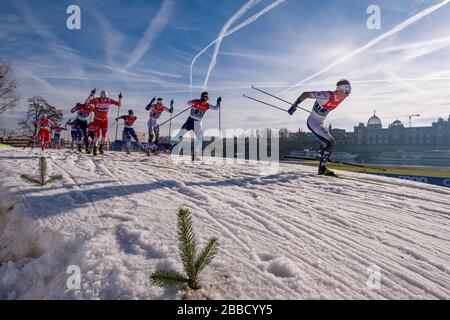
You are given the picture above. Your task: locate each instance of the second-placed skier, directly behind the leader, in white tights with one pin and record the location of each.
(194, 122)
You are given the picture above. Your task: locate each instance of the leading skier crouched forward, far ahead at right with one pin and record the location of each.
(326, 101)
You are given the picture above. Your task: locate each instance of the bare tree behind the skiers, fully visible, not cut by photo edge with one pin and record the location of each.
(37, 107)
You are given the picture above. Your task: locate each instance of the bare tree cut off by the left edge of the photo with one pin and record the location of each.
(8, 85)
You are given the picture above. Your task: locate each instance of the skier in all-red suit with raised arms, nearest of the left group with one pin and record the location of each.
(101, 107)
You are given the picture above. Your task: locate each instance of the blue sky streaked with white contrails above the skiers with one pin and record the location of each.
(145, 49)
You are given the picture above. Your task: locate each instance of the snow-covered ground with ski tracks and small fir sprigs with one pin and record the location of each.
(285, 235)
